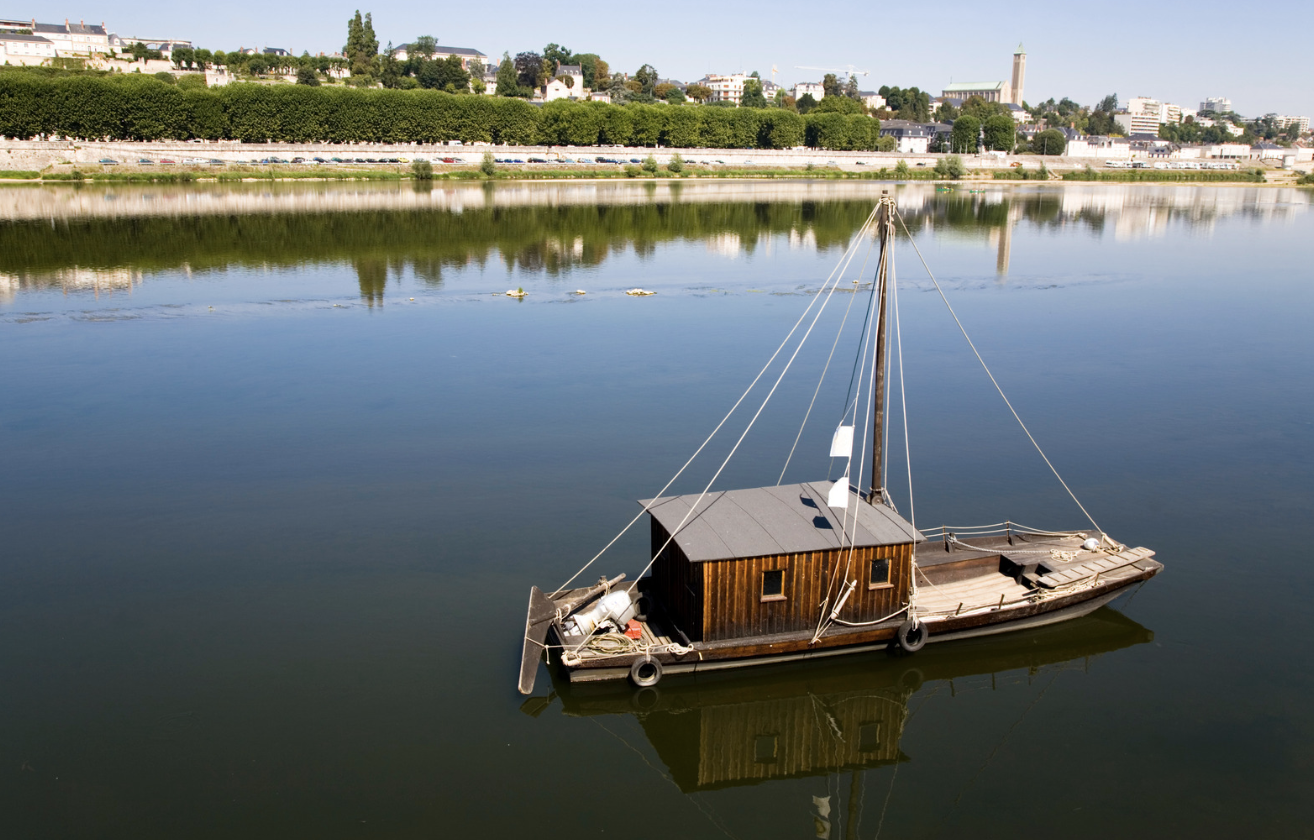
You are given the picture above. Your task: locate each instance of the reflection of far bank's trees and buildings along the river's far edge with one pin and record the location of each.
(106, 239)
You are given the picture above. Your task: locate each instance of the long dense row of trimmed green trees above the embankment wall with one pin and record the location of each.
(144, 108)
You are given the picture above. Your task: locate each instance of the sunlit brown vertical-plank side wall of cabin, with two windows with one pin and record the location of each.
(734, 608)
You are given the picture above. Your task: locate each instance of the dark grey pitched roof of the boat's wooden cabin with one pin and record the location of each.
(775, 521)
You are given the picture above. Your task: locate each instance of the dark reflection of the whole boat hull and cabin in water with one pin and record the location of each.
(731, 729)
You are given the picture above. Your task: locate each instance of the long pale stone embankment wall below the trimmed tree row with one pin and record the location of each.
(43, 154)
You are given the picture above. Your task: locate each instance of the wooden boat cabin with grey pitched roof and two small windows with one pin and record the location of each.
(759, 563)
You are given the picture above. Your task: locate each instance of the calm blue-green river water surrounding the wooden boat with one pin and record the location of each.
(279, 466)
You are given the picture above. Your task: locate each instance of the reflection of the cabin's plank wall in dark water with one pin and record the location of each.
(736, 741)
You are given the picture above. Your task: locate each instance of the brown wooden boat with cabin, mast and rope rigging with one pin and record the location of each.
(817, 570)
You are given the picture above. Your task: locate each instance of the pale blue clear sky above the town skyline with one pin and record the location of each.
(1177, 53)
